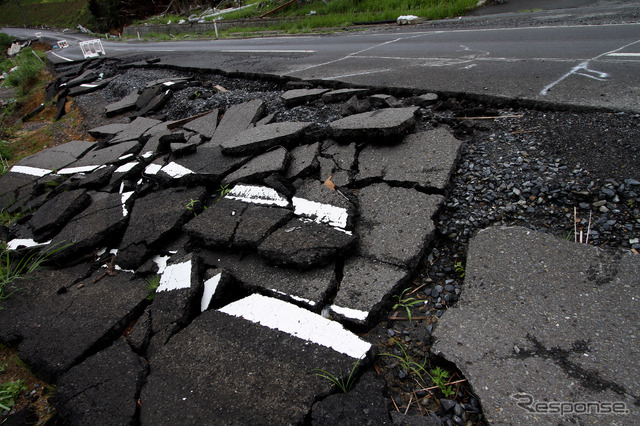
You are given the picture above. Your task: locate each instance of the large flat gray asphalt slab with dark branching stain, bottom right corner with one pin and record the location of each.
(547, 327)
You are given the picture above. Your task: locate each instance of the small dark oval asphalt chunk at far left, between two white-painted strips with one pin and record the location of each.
(55, 213)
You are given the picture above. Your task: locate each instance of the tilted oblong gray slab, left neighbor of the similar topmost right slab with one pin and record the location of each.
(259, 139)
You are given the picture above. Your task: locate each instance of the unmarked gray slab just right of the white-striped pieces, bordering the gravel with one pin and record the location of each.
(395, 224)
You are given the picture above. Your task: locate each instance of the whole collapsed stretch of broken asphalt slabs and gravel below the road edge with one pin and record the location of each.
(329, 207)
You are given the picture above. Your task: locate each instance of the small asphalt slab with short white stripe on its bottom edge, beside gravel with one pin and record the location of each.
(366, 288)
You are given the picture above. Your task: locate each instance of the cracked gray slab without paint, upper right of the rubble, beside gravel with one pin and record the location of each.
(427, 159)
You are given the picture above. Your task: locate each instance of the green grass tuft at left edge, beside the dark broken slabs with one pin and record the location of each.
(14, 267)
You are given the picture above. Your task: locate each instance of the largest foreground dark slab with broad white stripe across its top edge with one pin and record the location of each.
(252, 362)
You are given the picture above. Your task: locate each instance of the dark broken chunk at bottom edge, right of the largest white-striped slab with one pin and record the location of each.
(365, 404)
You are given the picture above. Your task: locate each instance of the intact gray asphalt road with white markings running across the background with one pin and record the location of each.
(595, 66)
